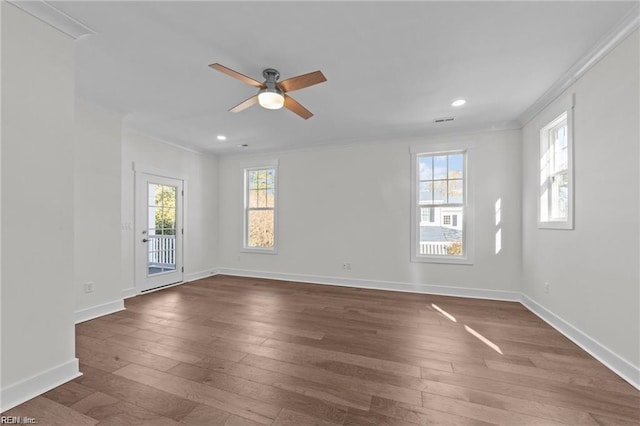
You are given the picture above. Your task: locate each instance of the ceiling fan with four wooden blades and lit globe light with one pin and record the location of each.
(273, 93)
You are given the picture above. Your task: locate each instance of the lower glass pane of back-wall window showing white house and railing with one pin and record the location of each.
(443, 237)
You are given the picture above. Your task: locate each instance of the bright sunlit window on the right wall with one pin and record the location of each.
(556, 180)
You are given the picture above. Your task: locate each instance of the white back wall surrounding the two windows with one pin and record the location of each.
(352, 204)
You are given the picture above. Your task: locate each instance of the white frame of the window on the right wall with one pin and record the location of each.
(561, 111)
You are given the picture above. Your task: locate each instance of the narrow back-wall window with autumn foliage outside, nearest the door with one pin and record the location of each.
(260, 209)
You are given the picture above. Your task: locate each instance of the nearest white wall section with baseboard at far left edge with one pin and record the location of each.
(38, 350)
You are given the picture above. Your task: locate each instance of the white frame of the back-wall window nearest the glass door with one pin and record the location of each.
(246, 248)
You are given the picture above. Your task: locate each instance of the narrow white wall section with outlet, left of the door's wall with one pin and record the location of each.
(97, 199)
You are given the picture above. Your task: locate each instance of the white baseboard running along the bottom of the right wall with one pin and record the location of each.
(611, 360)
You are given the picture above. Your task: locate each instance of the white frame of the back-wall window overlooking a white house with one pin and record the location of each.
(468, 210)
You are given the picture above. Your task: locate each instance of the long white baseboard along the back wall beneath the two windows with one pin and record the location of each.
(442, 290)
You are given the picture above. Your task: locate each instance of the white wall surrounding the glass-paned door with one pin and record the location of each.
(200, 224)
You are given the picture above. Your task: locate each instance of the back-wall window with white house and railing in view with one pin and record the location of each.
(440, 189)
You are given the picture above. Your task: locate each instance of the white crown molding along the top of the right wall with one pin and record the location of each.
(627, 25)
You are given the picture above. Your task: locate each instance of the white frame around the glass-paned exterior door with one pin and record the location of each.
(140, 169)
